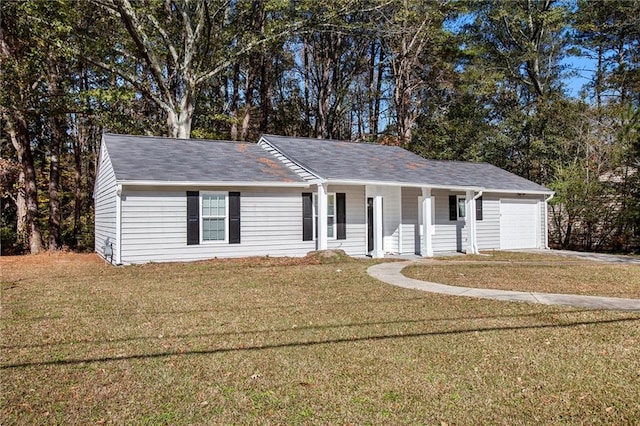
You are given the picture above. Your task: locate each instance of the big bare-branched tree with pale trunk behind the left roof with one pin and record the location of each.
(180, 46)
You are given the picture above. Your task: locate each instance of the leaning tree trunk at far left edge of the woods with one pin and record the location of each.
(18, 133)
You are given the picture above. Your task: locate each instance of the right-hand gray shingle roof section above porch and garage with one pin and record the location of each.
(339, 160)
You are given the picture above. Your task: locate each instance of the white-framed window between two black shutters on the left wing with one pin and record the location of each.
(214, 218)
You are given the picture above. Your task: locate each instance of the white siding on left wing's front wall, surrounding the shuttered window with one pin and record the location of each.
(154, 226)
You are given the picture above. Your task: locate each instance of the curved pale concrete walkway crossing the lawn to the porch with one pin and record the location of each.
(391, 273)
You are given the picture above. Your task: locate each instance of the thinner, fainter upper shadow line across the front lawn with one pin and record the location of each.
(284, 330)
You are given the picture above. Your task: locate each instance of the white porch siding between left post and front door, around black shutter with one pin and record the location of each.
(356, 209)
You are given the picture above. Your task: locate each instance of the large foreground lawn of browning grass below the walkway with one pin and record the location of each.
(284, 341)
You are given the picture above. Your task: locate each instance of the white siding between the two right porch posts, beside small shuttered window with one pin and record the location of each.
(449, 235)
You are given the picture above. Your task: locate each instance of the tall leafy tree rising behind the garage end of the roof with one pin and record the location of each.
(520, 46)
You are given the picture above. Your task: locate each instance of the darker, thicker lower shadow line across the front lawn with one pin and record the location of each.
(308, 343)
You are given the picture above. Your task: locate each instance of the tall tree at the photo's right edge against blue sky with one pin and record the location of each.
(608, 32)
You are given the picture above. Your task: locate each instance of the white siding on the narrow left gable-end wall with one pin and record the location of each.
(105, 203)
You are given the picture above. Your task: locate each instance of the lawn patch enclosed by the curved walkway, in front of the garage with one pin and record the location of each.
(546, 273)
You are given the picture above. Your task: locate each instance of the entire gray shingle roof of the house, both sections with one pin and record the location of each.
(144, 158)
